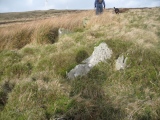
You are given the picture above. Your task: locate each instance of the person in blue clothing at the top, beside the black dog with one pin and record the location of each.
(99, 4)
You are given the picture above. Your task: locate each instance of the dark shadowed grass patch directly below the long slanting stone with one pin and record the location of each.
(90, 101)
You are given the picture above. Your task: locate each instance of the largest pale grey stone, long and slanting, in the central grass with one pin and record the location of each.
(100, 54)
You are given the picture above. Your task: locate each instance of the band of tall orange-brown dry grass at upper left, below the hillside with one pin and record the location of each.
(37, 29)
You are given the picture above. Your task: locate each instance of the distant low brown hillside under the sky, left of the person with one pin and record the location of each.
(12, 17)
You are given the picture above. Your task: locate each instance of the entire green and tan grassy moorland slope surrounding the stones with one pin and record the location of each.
(34, 60)
